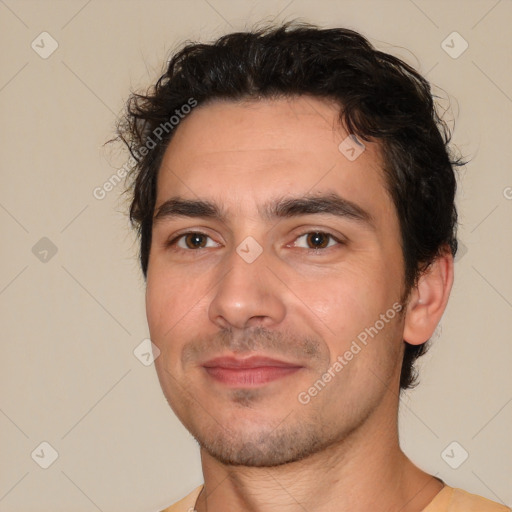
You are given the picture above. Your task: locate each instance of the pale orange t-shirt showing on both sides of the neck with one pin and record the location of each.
(449, 499)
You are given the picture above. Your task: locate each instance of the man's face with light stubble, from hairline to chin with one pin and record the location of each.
(274, 280)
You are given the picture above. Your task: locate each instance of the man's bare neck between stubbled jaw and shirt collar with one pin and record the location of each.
(365, 471)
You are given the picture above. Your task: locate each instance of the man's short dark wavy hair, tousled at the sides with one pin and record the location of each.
(380, 97)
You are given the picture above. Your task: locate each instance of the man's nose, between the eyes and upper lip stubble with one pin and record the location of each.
(248, 295)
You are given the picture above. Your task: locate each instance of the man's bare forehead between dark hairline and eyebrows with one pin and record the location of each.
(249, 151)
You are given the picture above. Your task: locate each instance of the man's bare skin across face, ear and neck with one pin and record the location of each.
(261, 448)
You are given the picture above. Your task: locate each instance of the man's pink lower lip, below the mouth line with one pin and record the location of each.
(249, 377)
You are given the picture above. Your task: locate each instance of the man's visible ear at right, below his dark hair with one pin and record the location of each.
(428, 299)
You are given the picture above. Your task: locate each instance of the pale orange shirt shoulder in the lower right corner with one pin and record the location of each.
(451, 499)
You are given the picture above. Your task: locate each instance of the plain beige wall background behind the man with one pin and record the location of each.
(70, 324)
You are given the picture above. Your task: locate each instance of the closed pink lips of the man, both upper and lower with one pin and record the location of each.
(250, 372)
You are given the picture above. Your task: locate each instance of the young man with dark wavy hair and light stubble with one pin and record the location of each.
(294, 195)
